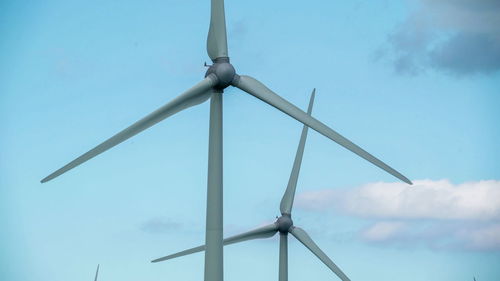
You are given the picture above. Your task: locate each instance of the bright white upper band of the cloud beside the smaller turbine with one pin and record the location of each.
(426, 199)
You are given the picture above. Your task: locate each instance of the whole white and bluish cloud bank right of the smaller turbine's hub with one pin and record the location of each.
(438, 214)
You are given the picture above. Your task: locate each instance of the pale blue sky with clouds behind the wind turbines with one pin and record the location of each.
(414, 82)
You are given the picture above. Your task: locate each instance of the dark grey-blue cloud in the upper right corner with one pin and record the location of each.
(456, 36)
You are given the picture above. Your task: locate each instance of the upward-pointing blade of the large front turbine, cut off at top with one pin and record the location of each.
(217, 38)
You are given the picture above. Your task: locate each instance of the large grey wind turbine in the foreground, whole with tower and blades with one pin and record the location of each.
(220, 75)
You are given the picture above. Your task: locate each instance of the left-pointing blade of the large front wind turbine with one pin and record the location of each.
(196, 95)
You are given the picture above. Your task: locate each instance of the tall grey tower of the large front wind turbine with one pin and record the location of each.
(213, 237)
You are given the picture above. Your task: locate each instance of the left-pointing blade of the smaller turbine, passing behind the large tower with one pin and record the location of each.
(258, 233)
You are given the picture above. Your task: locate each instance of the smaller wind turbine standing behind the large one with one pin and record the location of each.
(283, 224)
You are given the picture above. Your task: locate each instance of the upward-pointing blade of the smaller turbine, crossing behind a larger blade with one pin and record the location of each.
(287, 200)
